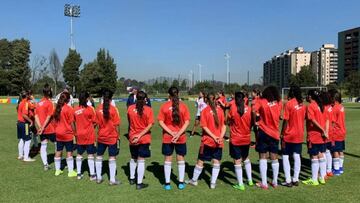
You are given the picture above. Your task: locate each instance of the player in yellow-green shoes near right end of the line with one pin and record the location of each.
(317, 126)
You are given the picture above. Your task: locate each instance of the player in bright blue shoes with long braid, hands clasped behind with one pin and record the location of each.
(174, 118)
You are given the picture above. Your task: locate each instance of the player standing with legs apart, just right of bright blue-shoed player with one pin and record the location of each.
(213, 124)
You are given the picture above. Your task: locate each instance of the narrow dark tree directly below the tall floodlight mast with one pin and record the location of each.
(71, 69)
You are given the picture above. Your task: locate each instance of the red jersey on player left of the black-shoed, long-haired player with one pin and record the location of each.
(108, 129)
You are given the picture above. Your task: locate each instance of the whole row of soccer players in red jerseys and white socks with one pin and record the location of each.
(63, 125)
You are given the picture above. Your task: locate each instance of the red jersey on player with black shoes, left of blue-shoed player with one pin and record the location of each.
(138, 123)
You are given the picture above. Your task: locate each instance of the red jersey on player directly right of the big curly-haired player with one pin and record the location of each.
(294, 114)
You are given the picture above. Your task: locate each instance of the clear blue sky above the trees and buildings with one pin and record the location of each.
(150, 38)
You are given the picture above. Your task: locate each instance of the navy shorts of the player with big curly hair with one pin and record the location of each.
(266, 143)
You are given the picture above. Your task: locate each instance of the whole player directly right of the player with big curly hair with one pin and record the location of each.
(292, 135)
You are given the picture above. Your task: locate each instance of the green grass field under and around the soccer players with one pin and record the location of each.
(27, 182)
